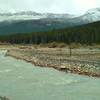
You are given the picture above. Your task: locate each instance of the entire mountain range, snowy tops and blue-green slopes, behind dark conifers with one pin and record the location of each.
(29, 21)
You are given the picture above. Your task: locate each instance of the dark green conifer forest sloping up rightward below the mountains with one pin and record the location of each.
(86, 34)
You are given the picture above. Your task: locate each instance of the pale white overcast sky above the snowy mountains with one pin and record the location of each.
(52, 6)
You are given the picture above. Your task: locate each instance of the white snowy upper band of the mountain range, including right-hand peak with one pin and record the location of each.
(90, 16)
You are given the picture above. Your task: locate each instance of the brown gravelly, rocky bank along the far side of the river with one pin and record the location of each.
(82, 62)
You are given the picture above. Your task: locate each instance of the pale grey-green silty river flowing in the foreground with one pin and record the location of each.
(20, 80)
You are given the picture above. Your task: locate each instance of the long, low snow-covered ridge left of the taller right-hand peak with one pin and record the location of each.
(30, 15)
